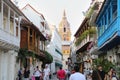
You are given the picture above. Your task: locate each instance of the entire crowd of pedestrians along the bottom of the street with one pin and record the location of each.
(75, 74)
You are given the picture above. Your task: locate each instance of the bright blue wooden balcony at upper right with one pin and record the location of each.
(108, 24)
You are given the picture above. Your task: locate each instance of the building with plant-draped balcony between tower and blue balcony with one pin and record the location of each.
(85, 37)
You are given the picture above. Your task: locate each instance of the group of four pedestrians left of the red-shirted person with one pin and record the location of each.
(37, 74)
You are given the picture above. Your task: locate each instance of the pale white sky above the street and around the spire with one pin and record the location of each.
(52, 10)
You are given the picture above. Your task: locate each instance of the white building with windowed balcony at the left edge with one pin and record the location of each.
(10, 18)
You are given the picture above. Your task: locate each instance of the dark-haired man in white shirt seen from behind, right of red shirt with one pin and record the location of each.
(77, 75)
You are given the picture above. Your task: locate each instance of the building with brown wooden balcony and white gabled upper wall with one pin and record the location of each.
(35, 35)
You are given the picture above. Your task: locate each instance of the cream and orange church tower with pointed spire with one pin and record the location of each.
(65, 33)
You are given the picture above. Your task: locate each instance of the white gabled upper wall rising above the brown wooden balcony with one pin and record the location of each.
(37, 19)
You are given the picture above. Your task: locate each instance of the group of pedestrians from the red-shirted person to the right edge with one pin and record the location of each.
(97, 74)
